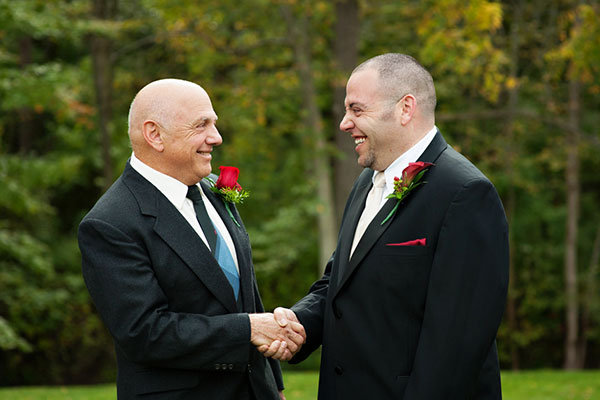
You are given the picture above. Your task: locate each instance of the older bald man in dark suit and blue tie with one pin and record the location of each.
(177, 293)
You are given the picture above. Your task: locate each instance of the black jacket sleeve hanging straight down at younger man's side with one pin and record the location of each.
(466, 295)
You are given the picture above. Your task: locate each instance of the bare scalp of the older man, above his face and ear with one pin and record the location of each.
(159, 101)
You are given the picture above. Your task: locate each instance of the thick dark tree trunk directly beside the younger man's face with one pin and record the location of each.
(346, 167)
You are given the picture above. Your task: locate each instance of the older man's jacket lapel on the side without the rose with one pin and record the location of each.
(172, 228)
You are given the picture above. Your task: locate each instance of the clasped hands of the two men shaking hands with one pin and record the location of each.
(278, 335)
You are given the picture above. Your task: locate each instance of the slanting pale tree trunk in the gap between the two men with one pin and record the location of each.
(299, 37)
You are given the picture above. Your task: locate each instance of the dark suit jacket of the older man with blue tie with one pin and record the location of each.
(178, 331)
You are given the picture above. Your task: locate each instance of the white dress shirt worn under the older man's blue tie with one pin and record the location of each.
(176, 192)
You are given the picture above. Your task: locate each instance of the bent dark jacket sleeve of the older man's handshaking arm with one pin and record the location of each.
(119, 276)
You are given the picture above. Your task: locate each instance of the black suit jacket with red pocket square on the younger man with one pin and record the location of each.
(414, 322)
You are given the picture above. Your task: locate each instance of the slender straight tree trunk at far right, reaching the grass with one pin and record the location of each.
(573, 192)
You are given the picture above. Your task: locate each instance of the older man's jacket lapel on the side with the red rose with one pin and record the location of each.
(241, 244)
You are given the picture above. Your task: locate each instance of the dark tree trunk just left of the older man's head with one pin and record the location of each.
(101, 47)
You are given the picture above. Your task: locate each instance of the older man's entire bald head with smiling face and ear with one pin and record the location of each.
(172, 128)
